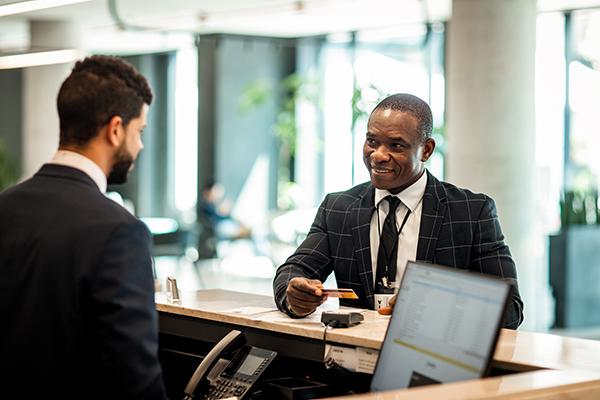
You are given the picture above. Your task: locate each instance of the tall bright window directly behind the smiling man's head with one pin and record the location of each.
(363, 68)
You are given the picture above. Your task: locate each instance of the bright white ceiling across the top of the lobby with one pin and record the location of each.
(152, 24)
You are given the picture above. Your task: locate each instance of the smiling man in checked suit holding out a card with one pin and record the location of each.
(366, 235)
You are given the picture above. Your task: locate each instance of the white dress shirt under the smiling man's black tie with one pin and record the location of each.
(411, 198)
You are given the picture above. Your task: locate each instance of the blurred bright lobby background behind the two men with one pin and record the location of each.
(261, 109)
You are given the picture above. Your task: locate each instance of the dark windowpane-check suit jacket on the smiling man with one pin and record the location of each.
(458, 229)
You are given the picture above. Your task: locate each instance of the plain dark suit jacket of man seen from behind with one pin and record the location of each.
(77, 312)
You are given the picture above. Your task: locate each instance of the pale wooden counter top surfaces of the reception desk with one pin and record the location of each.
(559, 367)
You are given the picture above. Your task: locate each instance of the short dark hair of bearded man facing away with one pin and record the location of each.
(99, 88)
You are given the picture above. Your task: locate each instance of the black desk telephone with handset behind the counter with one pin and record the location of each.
(230, 369)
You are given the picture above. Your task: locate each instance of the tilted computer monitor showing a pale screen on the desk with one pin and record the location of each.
(444, 327)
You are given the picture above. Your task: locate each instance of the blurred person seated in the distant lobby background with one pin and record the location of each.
(217, 211)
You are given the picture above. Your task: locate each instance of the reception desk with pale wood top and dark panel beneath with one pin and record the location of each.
(535, 365)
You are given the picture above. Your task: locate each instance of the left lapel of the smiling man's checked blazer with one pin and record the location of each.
(360, 234)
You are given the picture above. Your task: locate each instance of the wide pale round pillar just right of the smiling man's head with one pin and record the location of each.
(490, 121)
